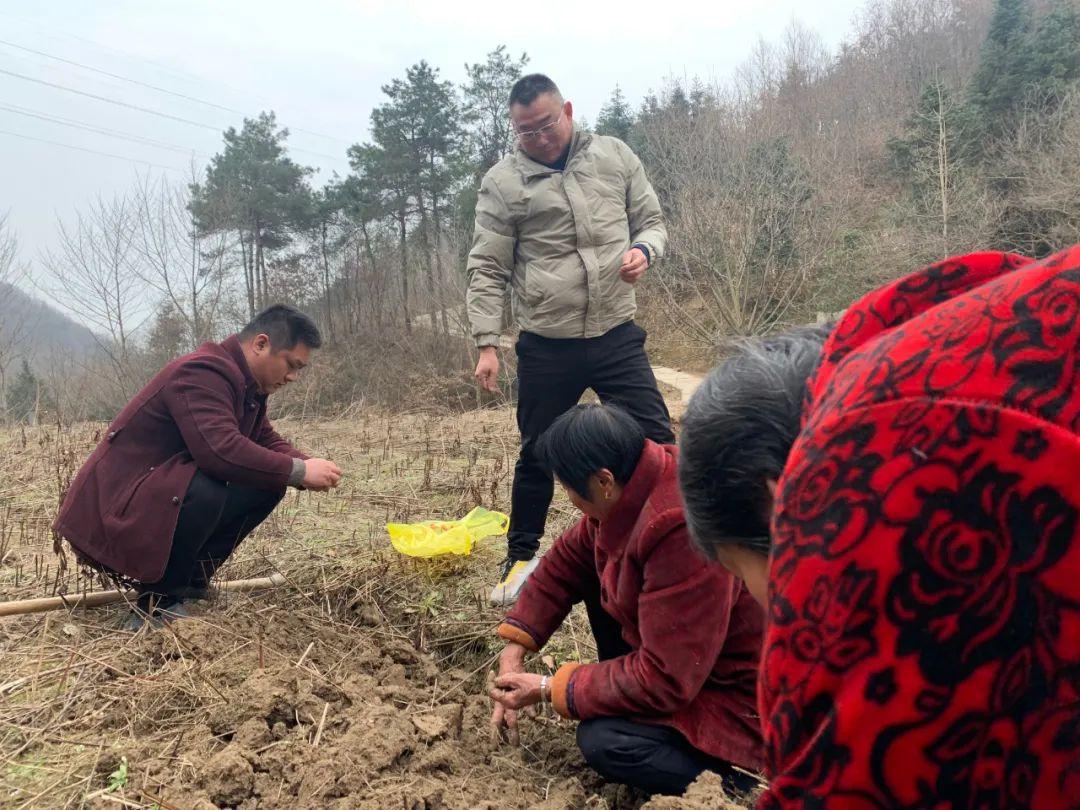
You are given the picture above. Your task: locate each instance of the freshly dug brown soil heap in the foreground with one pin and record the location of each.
(354, 721)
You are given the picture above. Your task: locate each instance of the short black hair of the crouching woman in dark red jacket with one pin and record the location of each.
(588, 439)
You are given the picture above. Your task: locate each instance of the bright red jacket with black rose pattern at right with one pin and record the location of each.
(924, 647)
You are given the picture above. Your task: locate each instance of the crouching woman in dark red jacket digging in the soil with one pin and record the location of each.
(678, 637)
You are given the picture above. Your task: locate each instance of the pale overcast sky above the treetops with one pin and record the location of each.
(318, 64)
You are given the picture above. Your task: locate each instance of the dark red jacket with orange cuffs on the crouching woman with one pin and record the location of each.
(695, 631)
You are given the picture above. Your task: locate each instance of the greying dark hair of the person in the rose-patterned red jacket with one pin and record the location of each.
(738, 431)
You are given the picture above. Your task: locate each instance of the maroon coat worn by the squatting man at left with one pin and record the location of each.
(201, 412)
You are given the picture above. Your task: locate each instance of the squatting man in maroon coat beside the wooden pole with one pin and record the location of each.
(192, 466)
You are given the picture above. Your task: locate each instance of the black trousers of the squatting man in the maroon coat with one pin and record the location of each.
(214, 519)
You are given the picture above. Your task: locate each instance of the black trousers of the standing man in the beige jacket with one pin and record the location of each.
(552, 375)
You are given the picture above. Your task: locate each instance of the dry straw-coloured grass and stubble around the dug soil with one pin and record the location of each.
(77, 693)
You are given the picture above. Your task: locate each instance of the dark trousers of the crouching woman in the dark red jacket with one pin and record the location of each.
(654, 759)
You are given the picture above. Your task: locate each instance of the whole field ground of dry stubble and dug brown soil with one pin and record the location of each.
(361, 684)
